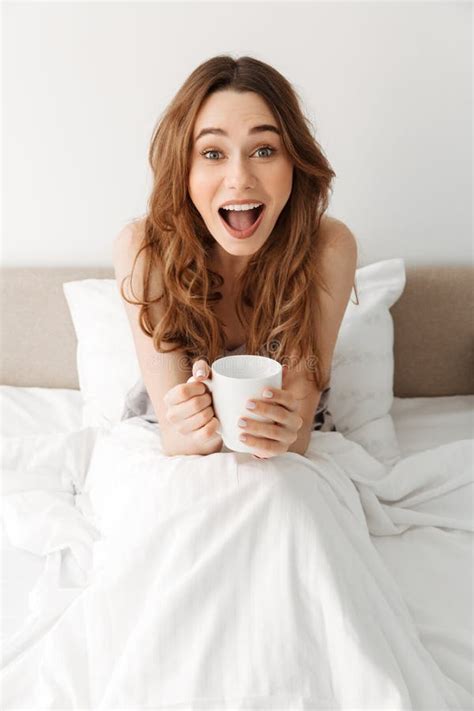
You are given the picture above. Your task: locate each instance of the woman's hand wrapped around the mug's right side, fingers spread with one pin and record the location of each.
(269, 439)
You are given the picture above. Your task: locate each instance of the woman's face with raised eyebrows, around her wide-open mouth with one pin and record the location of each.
(238, 166)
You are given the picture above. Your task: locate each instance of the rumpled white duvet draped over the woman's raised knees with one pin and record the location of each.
(226, 582)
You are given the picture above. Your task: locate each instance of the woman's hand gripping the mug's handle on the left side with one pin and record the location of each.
(190, 411)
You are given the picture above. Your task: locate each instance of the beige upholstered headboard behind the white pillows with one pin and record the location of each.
(434, 329)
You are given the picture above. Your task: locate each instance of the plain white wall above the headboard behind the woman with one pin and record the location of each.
(387, 85)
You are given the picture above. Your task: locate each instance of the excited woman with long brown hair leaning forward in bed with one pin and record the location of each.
(235, 255)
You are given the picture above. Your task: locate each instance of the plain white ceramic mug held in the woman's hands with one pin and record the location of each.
(236, 379)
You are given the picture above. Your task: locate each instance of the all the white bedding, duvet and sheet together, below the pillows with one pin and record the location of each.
(417, 580)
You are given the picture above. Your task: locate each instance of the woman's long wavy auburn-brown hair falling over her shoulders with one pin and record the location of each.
(277, 289)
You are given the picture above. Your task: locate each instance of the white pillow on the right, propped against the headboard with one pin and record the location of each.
(361, 395)
